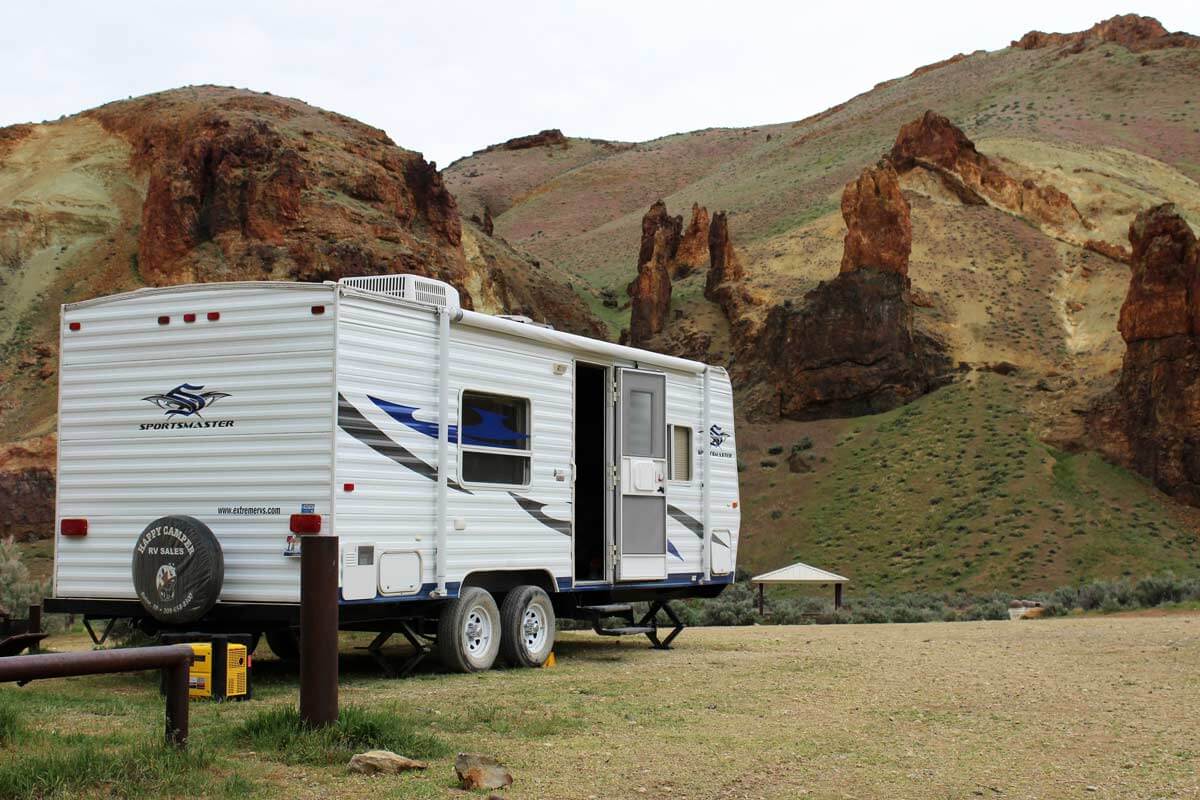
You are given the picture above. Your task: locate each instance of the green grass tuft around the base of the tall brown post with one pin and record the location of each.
(281, 733)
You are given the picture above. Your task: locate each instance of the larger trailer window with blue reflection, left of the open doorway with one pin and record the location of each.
(494, 437)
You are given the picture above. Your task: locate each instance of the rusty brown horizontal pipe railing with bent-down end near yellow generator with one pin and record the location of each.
(172, 660)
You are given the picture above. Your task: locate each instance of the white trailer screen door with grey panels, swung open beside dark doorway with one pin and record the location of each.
(643, 459)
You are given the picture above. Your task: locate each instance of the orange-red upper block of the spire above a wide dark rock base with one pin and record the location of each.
(879, 231)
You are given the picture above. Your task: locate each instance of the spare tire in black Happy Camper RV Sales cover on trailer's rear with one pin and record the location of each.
(178, 569)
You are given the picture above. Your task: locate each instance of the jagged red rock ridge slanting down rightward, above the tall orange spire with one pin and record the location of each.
(934, 143)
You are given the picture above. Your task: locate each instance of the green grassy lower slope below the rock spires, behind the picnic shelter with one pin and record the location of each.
(953, 491)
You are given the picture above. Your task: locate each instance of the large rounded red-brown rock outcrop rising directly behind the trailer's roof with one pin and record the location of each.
(244, 187)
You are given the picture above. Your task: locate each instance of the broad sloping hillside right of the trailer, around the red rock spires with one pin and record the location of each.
(1106, 118)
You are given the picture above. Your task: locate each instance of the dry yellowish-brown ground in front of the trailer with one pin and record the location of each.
(1059, 708)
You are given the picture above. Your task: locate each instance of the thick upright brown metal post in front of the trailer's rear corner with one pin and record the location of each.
(319, 630)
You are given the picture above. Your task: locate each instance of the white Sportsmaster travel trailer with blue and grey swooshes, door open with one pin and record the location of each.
(463, 460)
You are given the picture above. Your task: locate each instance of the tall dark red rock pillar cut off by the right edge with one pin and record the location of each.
(1151, 420)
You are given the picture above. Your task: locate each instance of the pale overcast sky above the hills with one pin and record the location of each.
(447, 79)
